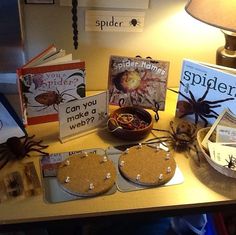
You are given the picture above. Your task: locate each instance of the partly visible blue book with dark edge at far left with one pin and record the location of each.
(10, 124)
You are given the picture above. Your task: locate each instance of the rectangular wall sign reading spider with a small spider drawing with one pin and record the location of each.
(114, 21)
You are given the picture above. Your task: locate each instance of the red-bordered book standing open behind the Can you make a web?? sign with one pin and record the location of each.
(47, 80)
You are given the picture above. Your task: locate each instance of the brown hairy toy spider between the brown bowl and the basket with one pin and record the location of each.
(181, 138)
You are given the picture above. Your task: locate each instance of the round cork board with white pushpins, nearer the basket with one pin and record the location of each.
(147, 166)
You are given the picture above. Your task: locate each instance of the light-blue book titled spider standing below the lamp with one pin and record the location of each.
(205, 91)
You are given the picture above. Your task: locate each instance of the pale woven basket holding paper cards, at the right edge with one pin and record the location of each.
(223, 170)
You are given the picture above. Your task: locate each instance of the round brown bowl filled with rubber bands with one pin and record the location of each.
(123, 131)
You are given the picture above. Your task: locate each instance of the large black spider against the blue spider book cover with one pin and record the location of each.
(200, 108)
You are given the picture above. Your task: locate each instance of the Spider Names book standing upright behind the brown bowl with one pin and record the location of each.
(137, 82)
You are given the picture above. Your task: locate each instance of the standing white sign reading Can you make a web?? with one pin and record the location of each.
(82, 116)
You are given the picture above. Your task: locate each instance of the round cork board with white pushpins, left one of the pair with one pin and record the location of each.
(86, 174)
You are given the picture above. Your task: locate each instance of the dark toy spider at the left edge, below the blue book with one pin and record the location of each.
(17, 148)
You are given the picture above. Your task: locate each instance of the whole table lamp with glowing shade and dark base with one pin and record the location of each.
(221, 14)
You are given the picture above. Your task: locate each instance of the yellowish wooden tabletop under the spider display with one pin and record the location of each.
(203, 187)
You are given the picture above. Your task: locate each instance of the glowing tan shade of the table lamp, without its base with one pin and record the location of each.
(218, 13)
